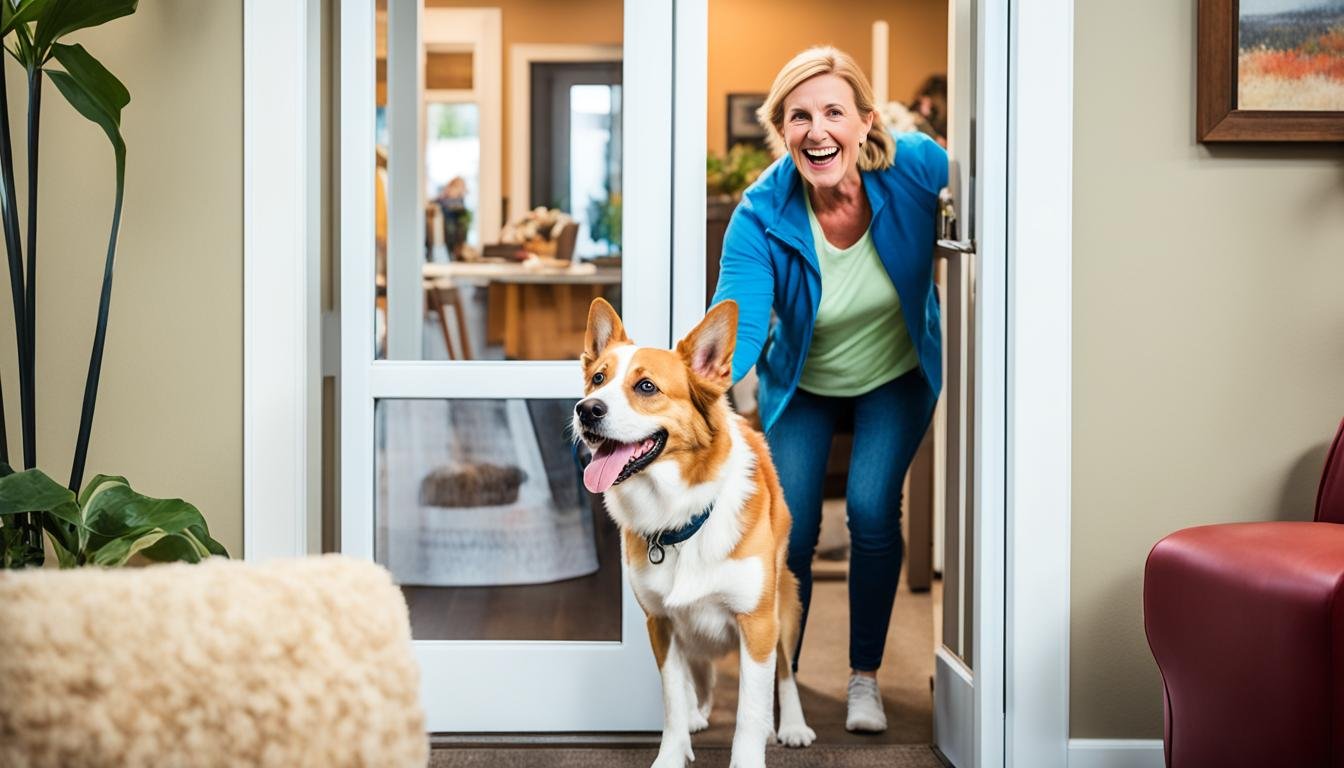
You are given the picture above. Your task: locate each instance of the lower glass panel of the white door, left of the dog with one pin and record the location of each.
(483, 520)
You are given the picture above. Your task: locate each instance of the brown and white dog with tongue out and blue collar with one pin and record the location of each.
(704, 525)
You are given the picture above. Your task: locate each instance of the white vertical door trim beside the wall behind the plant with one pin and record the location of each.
(282, 247)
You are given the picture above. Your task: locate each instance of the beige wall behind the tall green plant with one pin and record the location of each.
(170, 406)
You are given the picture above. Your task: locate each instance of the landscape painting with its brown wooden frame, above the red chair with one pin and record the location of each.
(1269, 71)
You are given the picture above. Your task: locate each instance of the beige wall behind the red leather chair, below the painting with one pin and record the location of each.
(1209, 337)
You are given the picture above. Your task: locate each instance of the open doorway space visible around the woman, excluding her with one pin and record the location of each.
(907, 50)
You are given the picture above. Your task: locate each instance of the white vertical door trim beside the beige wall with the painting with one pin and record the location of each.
(1038, 423)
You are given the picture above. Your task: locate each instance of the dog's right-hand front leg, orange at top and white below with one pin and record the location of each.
(759, 633)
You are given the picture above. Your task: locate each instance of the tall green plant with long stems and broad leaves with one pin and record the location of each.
(104, 523)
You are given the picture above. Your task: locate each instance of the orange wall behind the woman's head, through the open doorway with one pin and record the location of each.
(752, 40)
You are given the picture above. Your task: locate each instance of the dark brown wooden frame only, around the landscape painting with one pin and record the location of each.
(1218, 119)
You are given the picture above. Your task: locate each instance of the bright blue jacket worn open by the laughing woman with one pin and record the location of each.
(771, 263)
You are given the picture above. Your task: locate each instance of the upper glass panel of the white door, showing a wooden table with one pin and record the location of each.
(486, 260)
